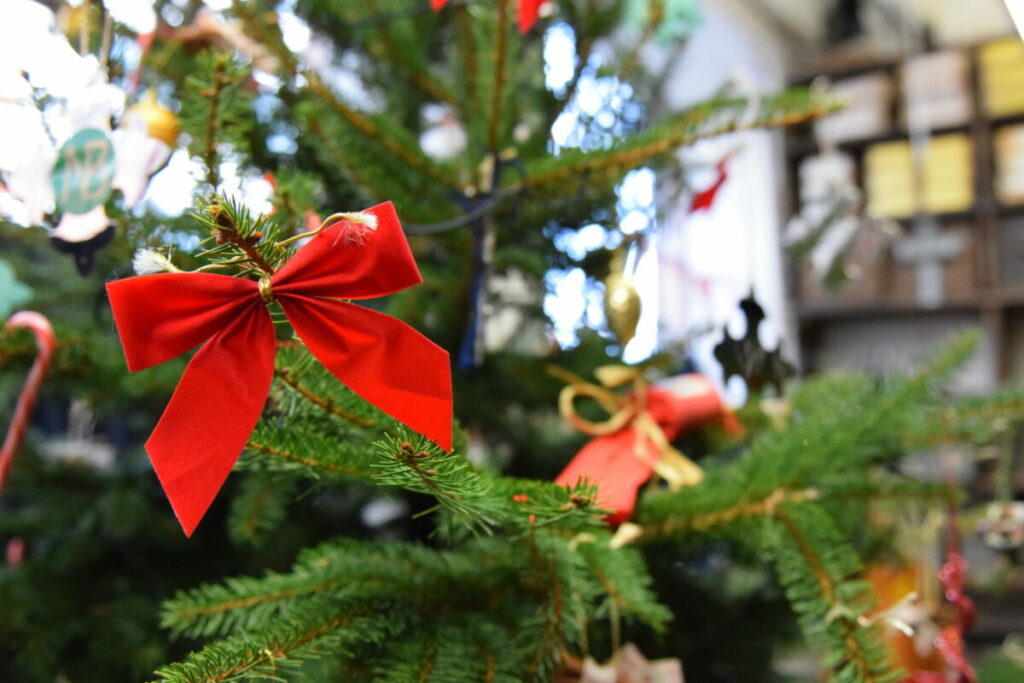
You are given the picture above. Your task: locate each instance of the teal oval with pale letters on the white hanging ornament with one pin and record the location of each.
(84, 173)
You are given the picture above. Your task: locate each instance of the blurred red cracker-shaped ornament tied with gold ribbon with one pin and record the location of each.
(634, 443)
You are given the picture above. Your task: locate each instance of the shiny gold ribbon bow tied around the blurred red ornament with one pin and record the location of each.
(626, 411)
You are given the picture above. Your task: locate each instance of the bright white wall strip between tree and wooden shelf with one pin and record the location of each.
(737, 244)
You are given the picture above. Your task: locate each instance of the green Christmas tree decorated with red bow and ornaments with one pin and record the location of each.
(366, 543)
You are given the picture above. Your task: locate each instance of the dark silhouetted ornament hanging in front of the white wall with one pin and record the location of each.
(746, 358)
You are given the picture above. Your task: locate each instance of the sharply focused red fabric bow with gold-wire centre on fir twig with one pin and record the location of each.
(223, 392)
